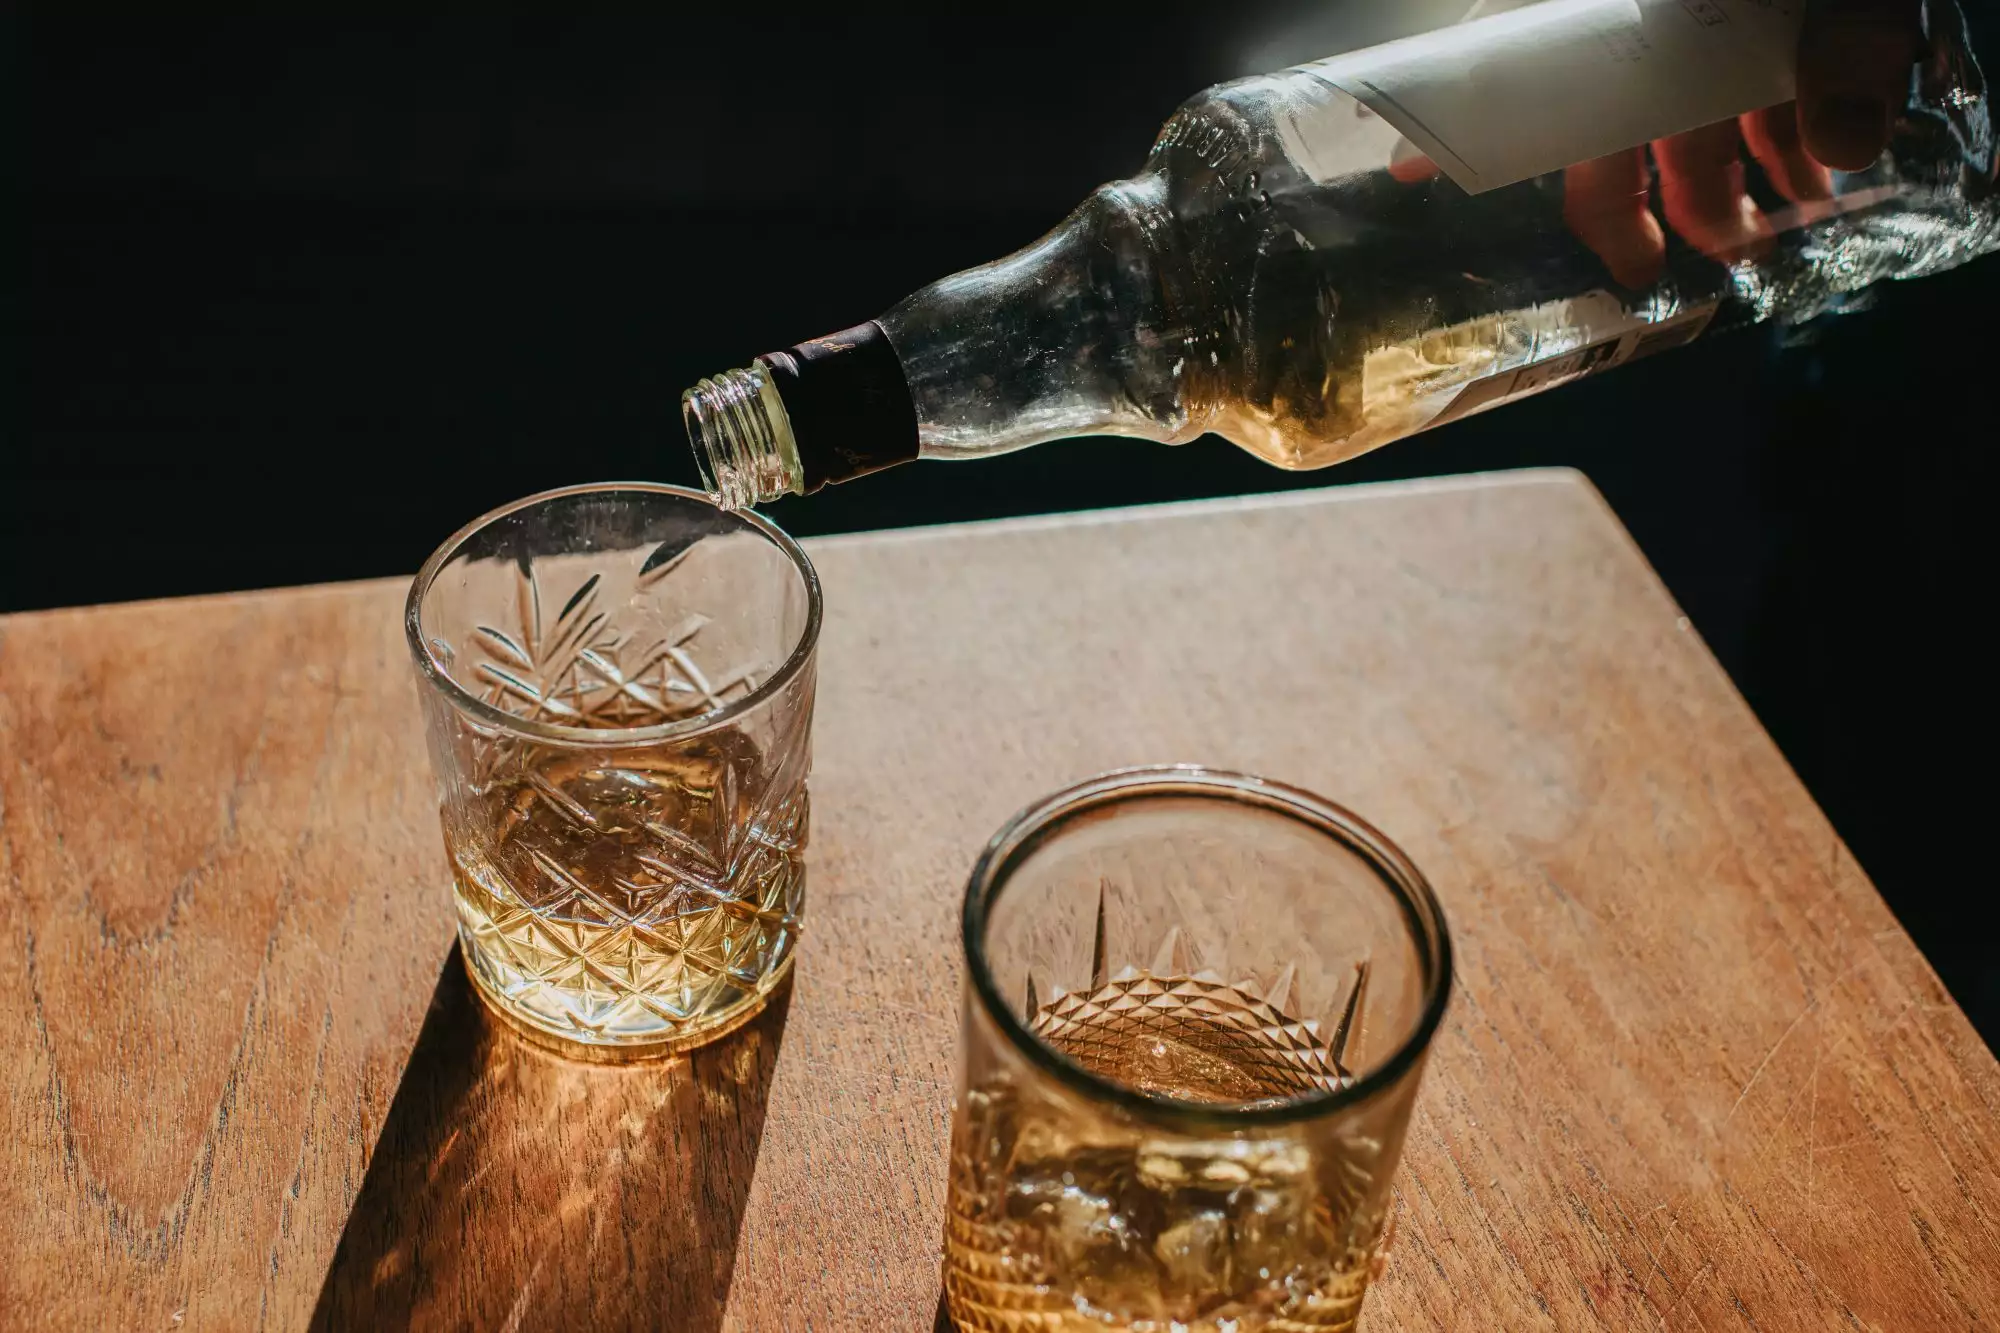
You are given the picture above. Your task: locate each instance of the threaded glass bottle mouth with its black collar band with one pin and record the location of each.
(795, 421)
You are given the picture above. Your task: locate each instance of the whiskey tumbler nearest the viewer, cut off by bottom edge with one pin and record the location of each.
(1197, 1014)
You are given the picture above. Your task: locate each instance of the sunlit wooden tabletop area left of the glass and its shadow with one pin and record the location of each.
(221, 918)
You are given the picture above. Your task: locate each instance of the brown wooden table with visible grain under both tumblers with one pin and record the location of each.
(1693, 1074)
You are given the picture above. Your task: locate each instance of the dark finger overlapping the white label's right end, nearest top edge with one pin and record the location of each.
(1855, 75)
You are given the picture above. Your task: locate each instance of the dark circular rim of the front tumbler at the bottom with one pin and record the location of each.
(1027, 830)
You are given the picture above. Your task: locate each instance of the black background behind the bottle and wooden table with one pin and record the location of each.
(307, 291)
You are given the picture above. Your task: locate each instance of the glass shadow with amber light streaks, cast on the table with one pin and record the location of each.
(519, 1190)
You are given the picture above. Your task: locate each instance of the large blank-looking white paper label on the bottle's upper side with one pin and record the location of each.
(1563, 81)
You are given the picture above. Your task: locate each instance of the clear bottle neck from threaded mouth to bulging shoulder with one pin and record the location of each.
(1075, 335)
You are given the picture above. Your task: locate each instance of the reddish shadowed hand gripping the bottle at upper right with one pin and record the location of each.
(1853, 71)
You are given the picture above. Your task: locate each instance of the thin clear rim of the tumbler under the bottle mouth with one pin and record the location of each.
(695, 726)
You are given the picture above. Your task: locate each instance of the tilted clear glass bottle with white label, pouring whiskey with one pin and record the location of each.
(1323, 261)
